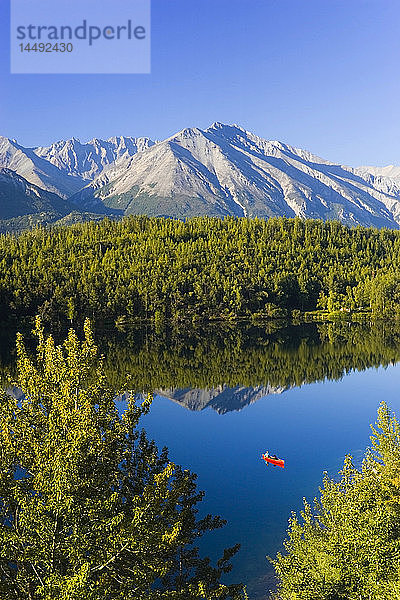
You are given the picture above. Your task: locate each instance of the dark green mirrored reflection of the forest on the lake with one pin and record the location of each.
(245, 355)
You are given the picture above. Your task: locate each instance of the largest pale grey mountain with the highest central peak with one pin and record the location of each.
(226, 170)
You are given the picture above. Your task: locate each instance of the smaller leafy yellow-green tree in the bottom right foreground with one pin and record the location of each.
(346, 546)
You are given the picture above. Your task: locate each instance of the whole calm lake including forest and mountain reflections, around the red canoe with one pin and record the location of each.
(225, 395)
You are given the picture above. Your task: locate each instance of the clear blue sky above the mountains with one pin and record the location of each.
(319, 74)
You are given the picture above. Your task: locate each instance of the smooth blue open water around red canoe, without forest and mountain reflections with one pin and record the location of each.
(312, 427)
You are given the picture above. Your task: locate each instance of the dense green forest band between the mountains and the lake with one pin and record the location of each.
(205, 268)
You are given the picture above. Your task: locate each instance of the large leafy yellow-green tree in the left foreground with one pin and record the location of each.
(89, 508)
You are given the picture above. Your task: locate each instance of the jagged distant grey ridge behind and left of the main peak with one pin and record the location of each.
(89, 159)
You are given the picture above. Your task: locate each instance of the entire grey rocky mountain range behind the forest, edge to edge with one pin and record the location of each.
(222, 170)
